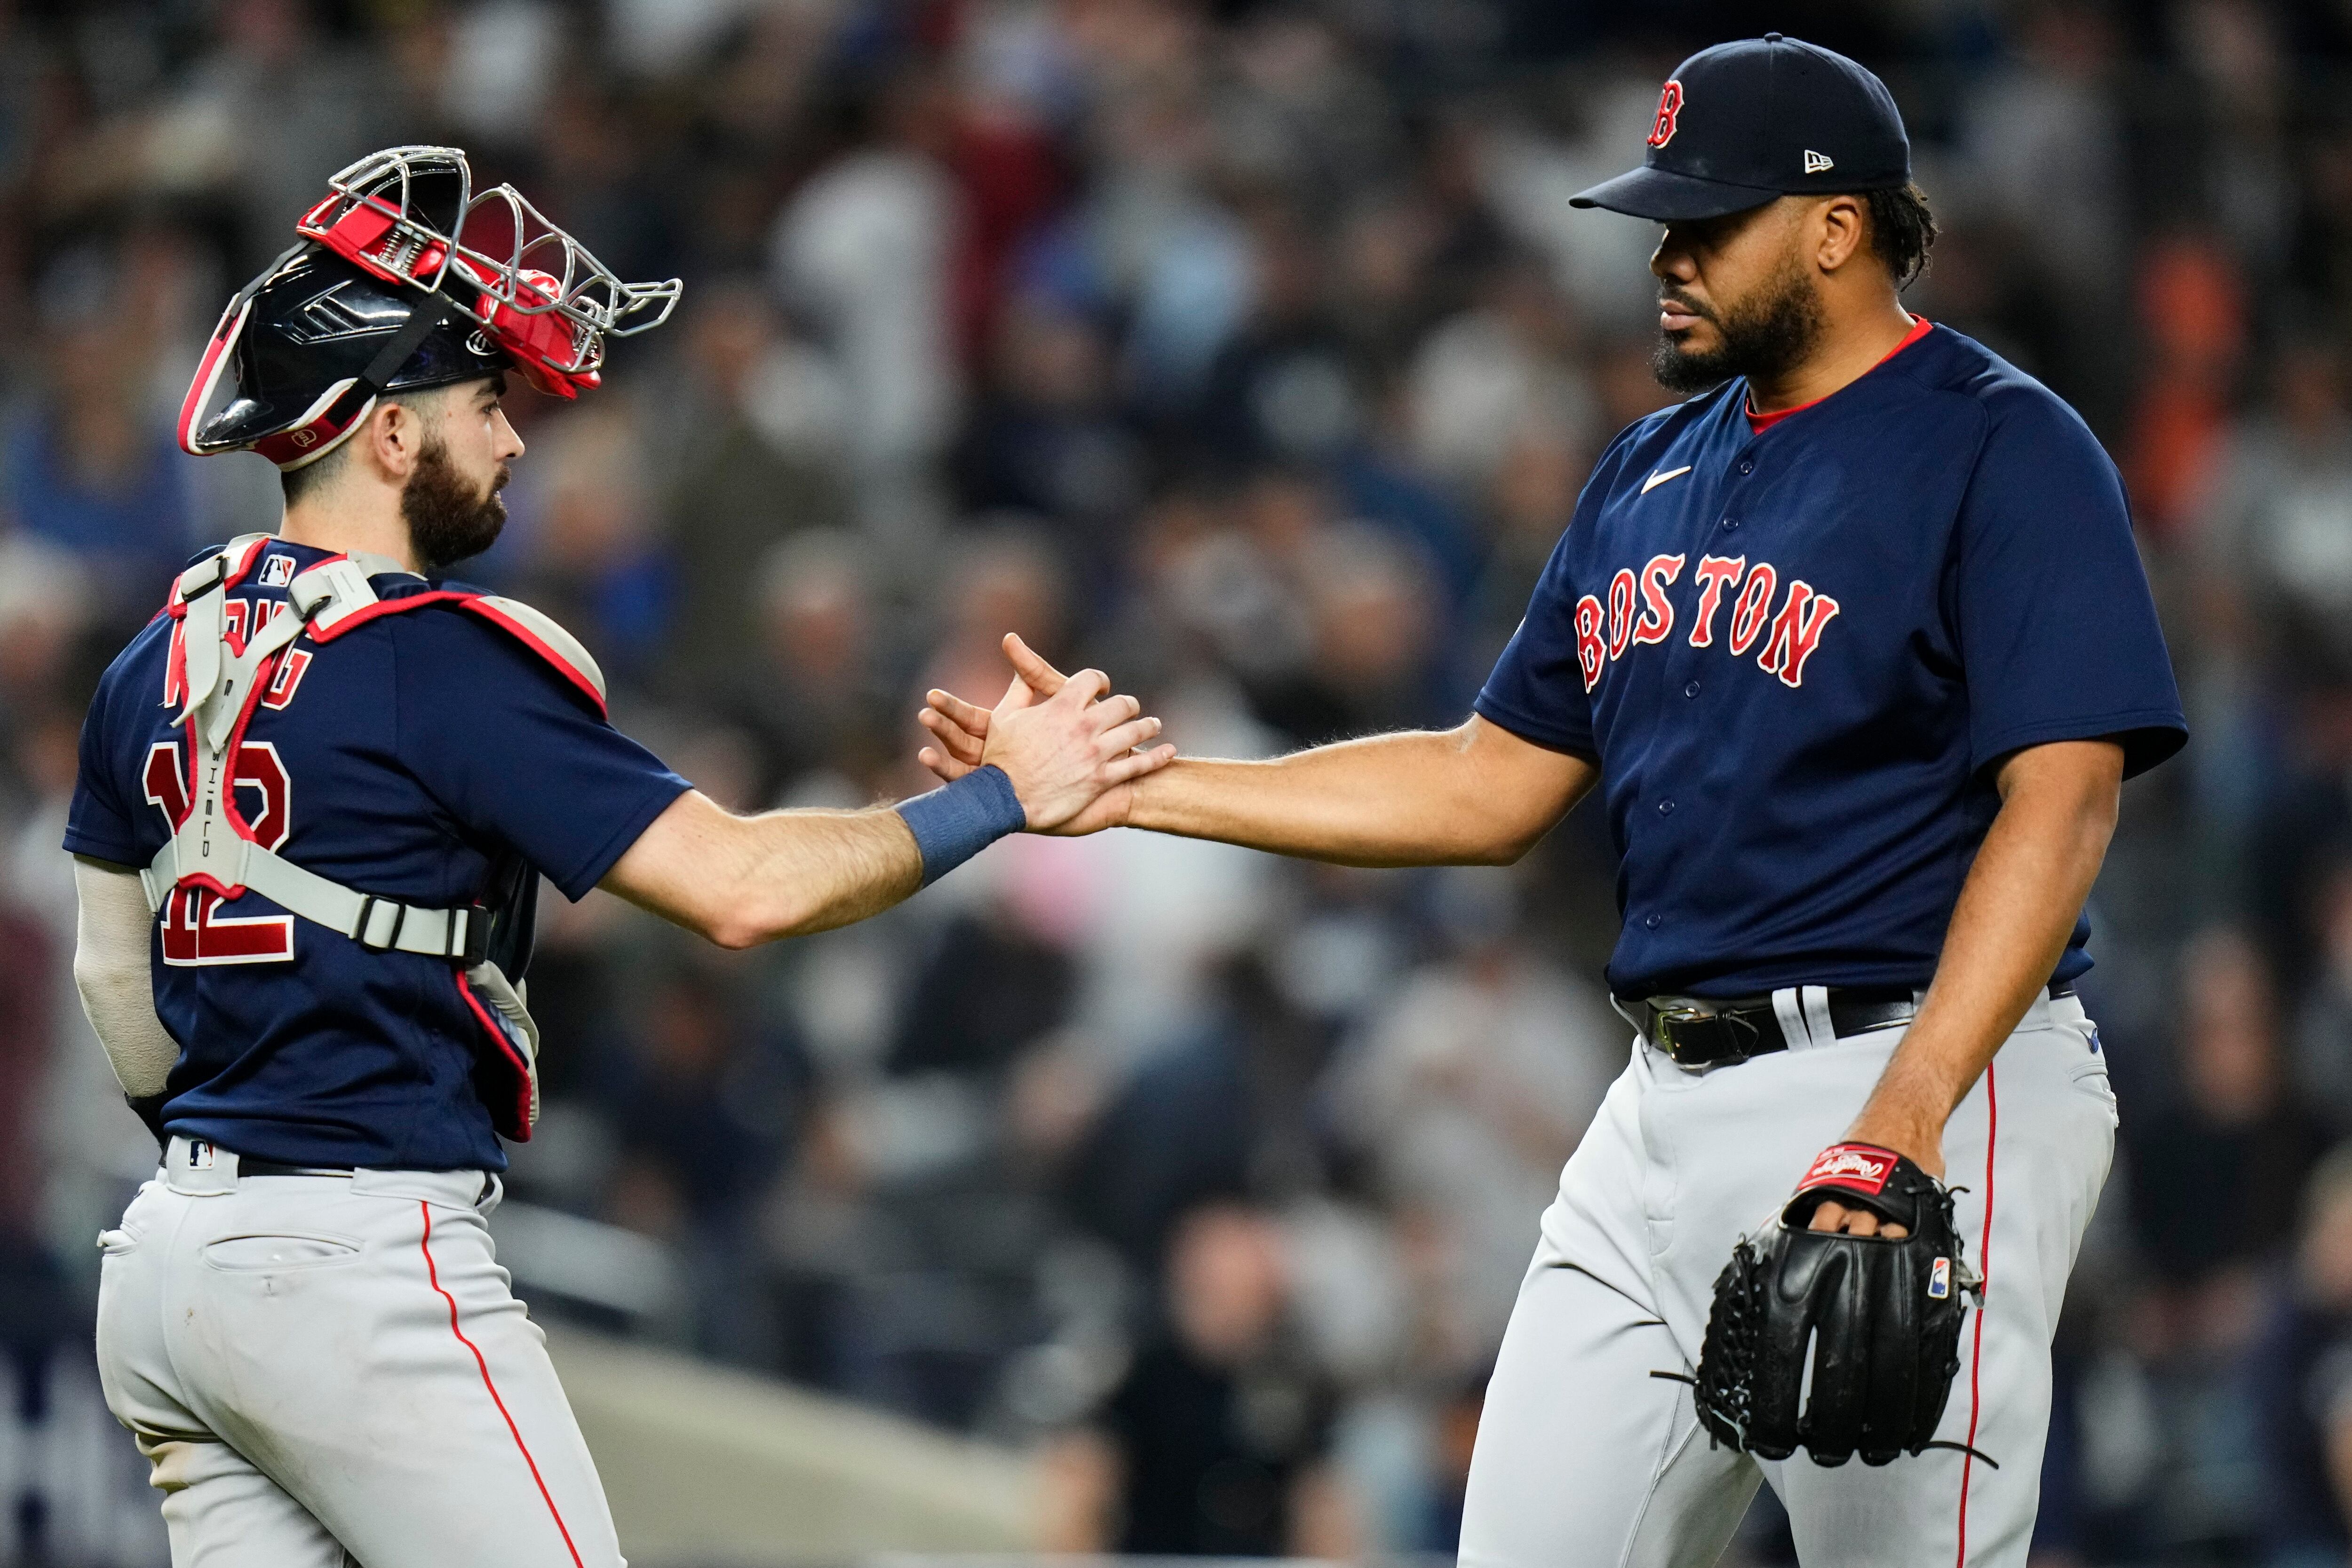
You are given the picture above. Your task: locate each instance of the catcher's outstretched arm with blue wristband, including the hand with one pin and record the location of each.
(744, 880)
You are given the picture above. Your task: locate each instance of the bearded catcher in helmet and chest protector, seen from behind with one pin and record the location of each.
(316, 803)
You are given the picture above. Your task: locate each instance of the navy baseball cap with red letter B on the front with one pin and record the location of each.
(1753, 121)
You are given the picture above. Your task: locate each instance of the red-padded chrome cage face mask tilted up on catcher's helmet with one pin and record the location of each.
(413, 217)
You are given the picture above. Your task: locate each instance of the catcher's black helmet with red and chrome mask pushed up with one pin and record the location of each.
(406, 279)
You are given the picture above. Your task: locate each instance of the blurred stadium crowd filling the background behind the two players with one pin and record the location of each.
(1252, 354)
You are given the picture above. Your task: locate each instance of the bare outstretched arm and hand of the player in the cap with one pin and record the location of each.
(1471, 796)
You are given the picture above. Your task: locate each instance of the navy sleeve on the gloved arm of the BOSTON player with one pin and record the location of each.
(2057, 629)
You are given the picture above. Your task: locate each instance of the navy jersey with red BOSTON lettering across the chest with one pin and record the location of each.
(1798, 652)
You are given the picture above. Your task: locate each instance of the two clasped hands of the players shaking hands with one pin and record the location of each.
(1069, 751)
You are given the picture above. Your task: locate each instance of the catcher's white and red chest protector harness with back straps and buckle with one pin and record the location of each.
(213, 847)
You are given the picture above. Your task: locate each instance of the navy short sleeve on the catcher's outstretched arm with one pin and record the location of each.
(519, 753)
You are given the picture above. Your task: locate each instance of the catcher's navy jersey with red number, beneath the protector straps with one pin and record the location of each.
(425, 756)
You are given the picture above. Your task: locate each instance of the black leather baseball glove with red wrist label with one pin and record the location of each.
(1878, 1315)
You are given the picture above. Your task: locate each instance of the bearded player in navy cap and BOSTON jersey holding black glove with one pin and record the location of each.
(1857, 650)
